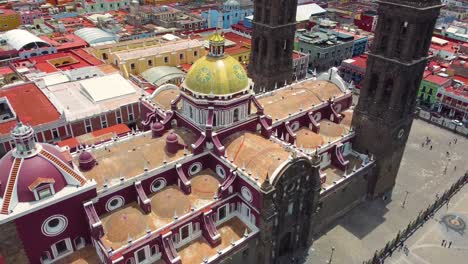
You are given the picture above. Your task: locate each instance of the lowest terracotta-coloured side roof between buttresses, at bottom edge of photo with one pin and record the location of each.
(197, 250)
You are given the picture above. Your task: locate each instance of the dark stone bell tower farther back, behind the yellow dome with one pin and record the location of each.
(274, 26)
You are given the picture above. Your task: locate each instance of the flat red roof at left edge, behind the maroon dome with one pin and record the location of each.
(30, 105)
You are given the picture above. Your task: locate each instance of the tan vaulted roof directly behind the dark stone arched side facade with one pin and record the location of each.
(258, 154)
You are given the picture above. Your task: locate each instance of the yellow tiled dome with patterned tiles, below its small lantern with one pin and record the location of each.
(216, 75)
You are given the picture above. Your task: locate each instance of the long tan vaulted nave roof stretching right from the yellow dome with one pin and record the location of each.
(301, 95)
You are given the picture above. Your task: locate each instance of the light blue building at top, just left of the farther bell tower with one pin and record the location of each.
(231, 13)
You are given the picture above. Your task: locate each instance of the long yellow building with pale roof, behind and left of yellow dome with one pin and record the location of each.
(137, 56)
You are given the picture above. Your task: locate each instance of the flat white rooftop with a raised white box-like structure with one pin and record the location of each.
(81, 99)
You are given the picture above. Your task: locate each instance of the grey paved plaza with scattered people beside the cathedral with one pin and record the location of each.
(369, 226)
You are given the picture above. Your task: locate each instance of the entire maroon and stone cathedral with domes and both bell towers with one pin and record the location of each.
(222, 169)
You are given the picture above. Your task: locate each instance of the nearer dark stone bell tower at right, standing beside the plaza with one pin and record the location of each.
(384, 113)
